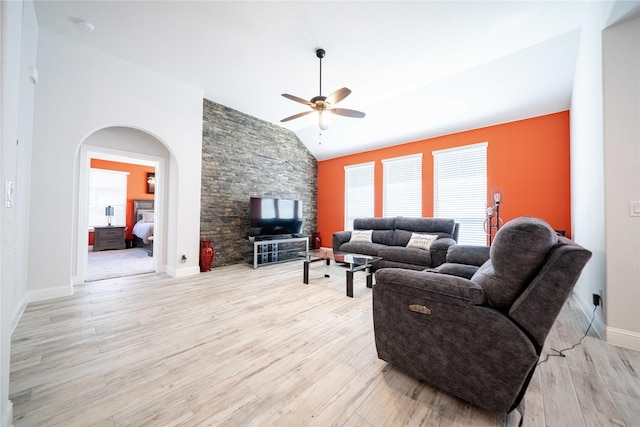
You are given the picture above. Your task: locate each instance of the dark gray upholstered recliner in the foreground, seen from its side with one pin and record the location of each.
(480, 338)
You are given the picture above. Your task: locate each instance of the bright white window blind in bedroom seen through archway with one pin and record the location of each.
(107, 188)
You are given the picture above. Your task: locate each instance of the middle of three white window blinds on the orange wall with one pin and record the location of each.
(402, 186)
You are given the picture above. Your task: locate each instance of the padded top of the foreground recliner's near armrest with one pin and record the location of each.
(431, 286)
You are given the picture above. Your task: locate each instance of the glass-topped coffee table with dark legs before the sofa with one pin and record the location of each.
(353, 263)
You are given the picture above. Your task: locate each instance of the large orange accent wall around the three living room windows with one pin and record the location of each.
(528, 160)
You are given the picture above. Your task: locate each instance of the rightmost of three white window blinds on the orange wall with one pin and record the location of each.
(460, 190)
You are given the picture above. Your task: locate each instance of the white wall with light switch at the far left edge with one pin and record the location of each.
(19, 46)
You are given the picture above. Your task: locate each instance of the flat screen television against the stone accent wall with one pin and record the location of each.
(270, 217)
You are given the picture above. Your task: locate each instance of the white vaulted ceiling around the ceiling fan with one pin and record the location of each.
(418, 69)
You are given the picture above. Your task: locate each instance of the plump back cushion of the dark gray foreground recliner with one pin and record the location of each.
(517, 253)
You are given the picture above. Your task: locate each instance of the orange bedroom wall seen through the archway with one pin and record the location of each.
(136, 186)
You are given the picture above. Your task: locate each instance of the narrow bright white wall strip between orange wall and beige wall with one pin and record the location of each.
(587, 167)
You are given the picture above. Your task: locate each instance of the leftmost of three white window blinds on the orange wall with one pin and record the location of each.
(359, 194)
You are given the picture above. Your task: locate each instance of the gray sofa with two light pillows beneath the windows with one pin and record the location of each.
(389, 240)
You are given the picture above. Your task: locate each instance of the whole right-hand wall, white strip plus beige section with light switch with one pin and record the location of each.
(605, 163)
